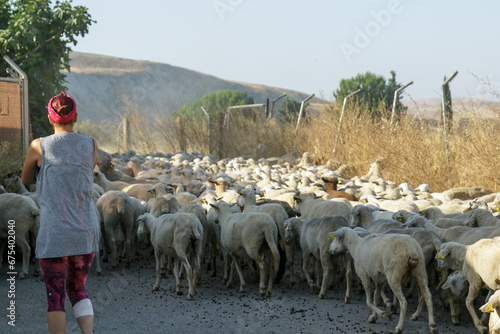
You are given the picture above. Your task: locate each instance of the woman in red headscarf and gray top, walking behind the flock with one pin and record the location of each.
(62, 167)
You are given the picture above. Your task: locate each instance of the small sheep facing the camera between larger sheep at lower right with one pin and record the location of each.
(455, 288)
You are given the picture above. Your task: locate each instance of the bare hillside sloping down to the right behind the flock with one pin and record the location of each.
(102, 85)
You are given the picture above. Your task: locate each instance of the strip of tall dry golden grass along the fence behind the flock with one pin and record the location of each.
(413, 149)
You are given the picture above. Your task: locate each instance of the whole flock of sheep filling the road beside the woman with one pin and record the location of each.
(280, 216)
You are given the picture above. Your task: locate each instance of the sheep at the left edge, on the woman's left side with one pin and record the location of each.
(20, 214)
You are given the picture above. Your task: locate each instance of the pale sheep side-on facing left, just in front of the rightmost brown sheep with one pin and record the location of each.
(309, 207)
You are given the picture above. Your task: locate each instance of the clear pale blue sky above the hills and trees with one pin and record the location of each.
(309, 46)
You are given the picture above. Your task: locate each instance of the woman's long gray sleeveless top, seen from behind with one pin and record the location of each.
(68, 216)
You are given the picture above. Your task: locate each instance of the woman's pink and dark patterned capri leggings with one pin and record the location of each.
(65, 273)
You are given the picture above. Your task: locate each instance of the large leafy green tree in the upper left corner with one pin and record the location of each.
(37, 36)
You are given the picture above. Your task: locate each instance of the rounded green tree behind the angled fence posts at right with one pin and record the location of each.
(376, 95)
